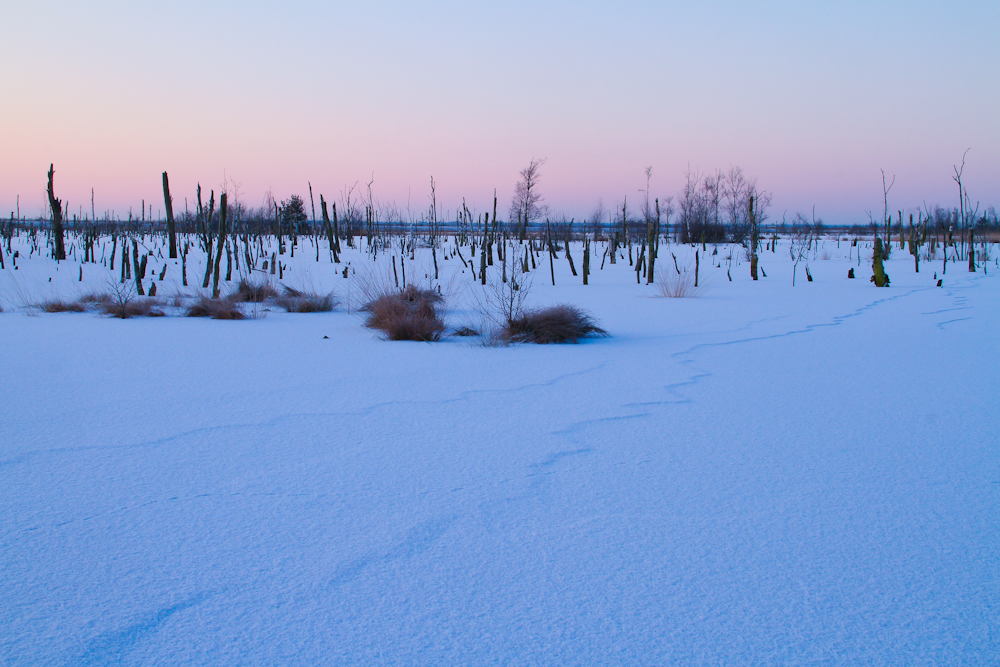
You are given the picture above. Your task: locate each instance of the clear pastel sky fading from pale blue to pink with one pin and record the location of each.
(811, 98)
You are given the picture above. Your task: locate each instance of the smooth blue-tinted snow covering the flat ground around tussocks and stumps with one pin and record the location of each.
(758, 475)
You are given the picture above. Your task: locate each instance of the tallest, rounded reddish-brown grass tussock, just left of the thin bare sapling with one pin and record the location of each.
(407, 315)
